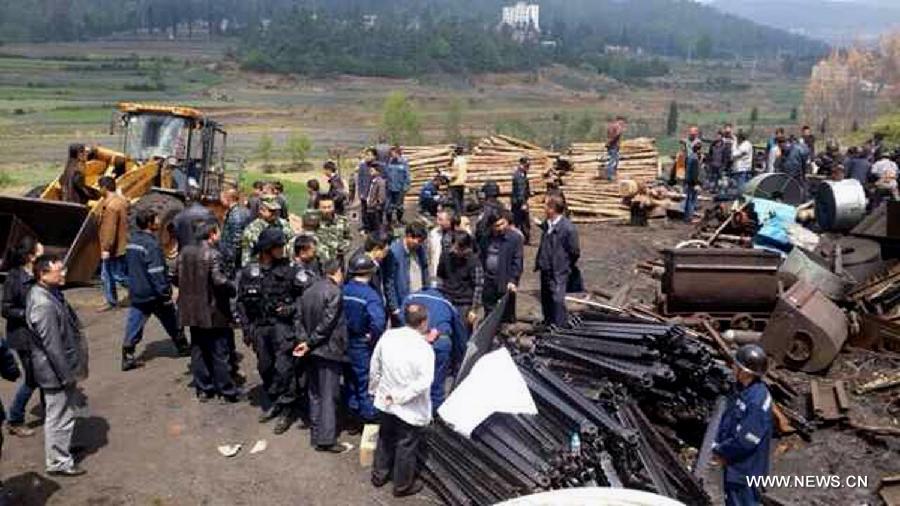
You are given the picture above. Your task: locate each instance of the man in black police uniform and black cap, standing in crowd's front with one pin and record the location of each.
(268, 289)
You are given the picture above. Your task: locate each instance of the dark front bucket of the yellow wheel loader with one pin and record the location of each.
(66, 229)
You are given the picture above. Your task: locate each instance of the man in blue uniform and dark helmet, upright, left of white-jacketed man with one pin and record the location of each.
(366, 320)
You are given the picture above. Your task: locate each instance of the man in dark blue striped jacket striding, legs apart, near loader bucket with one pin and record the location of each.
(149, 288)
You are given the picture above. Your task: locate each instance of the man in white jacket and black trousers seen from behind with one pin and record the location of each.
(400, 377)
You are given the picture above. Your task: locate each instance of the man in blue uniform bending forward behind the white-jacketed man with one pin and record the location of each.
(450, 336)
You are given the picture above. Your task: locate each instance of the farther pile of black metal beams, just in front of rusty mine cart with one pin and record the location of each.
(673, 376)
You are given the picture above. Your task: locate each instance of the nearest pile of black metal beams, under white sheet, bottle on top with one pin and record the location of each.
(573, 441)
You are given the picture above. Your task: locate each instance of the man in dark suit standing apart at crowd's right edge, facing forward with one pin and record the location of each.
(556, 260)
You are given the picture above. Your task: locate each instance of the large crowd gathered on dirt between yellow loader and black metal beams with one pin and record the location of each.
(348, 327)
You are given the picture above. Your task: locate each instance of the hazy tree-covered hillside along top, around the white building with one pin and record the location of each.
(403, 38)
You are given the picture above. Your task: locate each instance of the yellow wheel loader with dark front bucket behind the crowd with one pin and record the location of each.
(164, 150)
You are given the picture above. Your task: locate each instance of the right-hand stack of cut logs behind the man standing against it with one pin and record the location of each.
(593, 199)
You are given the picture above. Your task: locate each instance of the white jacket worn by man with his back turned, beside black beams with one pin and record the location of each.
(402, 367)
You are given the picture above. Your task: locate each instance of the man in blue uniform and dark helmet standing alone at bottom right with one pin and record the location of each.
(745, 432)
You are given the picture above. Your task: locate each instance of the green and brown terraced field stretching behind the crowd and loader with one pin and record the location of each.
(53, 95)
